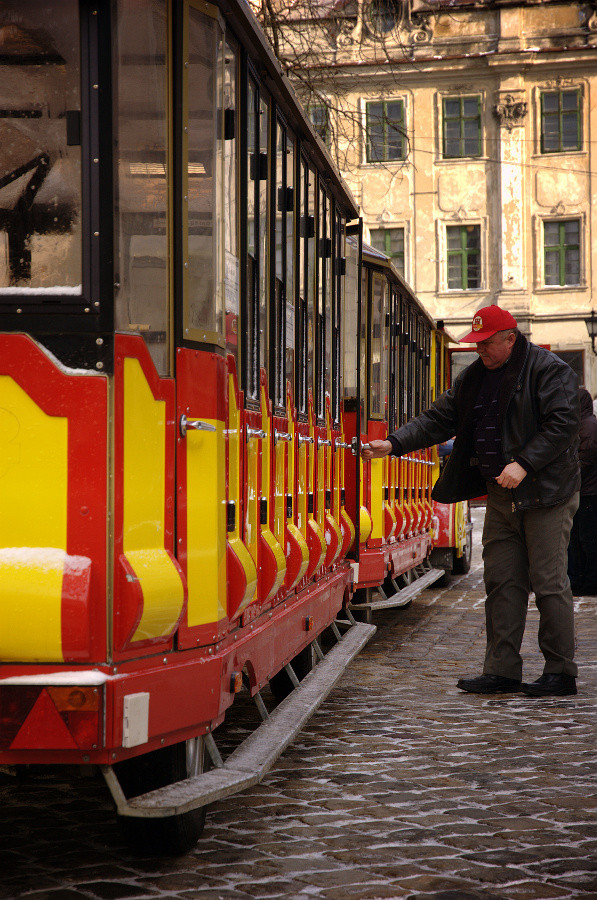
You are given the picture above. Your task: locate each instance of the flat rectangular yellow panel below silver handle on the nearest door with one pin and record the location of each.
(206, 524)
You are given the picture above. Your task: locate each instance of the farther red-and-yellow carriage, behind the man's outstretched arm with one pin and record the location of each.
(405, 541)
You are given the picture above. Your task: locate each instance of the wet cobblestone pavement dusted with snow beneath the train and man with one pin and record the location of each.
(400, 787)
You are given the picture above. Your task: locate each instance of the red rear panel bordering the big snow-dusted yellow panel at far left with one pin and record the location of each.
(83, 400)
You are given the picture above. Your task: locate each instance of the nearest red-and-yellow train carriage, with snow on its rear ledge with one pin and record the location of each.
(173, 271)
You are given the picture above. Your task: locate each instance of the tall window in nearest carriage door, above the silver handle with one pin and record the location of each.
(202, 179)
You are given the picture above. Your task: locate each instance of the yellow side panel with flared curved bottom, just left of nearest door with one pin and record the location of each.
(144, 501)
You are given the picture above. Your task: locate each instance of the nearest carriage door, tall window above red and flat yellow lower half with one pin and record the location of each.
(200, 361)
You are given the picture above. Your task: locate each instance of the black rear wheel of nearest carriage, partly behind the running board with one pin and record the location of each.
(173, 835)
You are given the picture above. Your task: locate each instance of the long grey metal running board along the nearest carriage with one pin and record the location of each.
(251, 761)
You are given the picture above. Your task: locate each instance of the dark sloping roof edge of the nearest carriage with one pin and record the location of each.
(241, 17)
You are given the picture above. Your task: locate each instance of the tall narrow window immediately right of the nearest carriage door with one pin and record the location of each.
(231, 245)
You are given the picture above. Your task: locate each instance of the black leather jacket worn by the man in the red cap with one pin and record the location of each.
(539, 422)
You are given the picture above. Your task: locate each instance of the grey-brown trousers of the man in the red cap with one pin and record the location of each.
(524, 551)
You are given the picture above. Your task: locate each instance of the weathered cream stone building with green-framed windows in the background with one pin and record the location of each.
(466, 130)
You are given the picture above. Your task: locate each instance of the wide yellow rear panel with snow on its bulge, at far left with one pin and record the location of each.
(33, 518)
